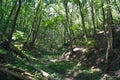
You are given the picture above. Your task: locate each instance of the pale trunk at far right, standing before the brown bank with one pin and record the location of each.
(110, 37)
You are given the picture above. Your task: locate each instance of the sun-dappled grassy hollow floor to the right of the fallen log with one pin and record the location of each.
(65, 70)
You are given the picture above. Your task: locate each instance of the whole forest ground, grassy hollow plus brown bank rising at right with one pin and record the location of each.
(88, 63)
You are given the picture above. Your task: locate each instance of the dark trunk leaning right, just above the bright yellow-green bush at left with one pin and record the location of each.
(14, 22)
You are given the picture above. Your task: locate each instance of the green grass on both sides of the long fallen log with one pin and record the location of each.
(58, 69)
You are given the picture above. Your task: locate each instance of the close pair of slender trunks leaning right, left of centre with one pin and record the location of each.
(35, 26)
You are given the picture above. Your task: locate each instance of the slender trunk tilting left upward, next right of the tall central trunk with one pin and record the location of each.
(82, 19)
